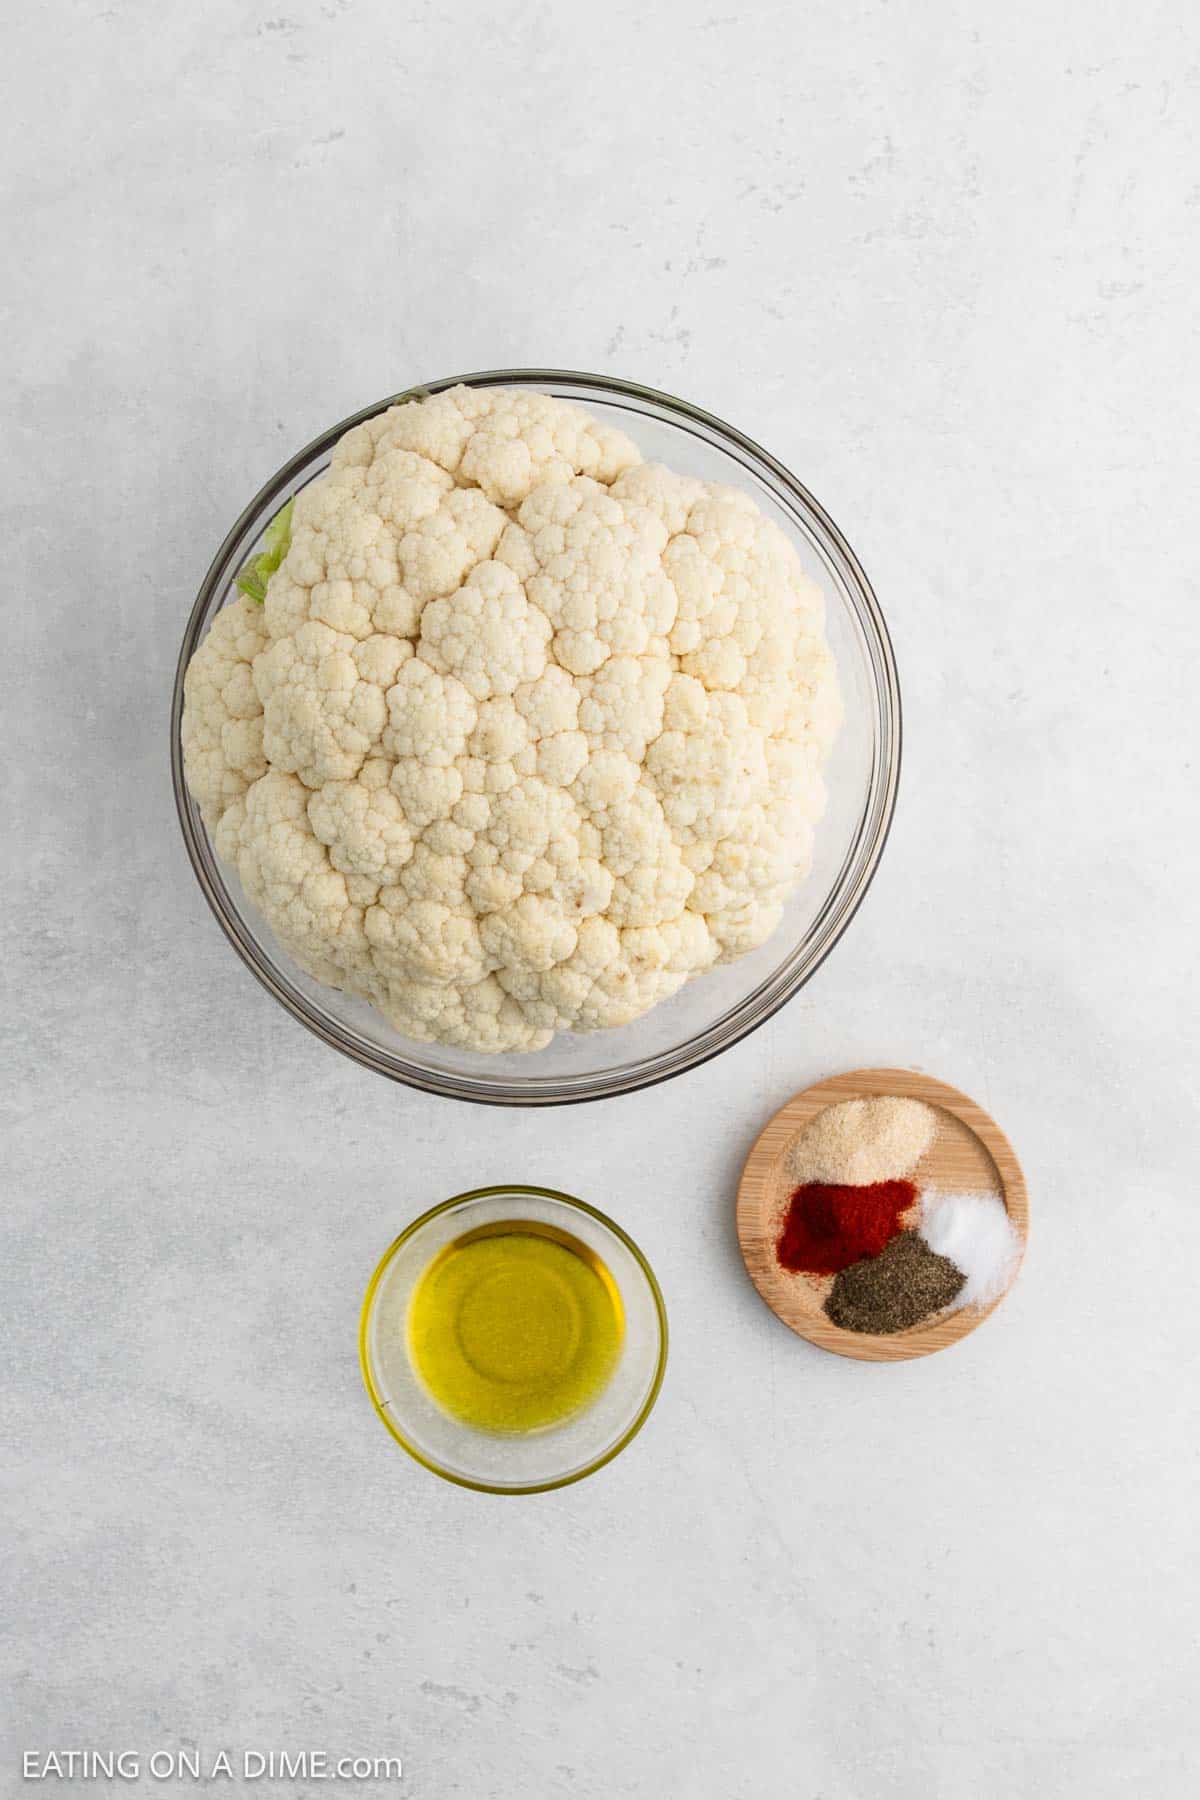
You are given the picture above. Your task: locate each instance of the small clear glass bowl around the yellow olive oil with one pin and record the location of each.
(496, 1462)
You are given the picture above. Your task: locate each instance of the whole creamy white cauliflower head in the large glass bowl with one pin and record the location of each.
(524, 732)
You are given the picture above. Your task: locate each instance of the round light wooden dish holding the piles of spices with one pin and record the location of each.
(969, 1153)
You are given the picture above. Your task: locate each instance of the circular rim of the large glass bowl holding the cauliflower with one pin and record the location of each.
(753, 1011)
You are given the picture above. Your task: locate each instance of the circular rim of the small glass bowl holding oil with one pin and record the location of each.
(487, 1194)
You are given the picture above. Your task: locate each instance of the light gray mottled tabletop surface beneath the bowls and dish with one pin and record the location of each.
(944, 262)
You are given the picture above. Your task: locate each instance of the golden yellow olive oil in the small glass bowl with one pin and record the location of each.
(515, 1327)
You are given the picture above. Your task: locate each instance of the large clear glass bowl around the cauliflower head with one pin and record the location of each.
(717, 1009)
